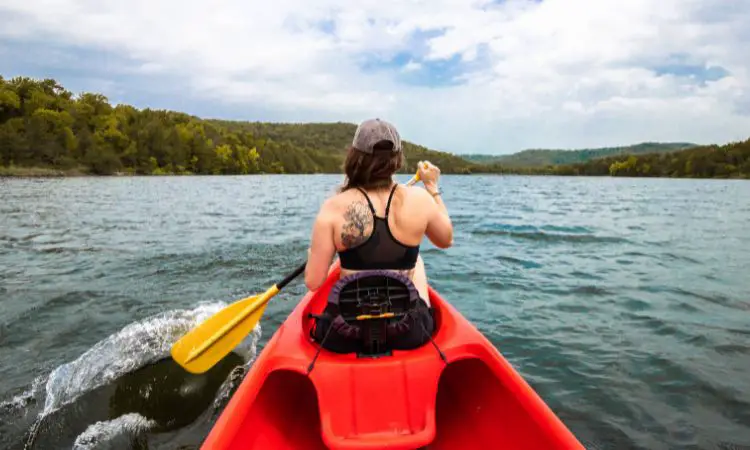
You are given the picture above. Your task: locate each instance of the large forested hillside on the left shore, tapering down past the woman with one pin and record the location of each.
(43, 125)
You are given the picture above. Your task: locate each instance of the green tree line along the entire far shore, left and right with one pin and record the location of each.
(43, 125)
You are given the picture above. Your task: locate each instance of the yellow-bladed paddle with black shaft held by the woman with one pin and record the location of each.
(205, 345)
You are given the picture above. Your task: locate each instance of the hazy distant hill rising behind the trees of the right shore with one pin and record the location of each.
(543, 158)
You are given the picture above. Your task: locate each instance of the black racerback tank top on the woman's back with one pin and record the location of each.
(381, 250)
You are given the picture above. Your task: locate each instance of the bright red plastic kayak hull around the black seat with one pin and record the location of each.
(409, 400)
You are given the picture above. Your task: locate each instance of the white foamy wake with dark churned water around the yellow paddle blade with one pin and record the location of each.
(122, 388)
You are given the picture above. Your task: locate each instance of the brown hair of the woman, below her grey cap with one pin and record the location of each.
(371, 170)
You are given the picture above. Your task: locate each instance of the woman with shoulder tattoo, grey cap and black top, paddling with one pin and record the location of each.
(373, 222)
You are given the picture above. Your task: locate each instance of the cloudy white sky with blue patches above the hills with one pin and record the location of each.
(480, 76)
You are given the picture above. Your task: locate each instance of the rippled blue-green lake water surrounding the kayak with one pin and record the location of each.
(624, 302)
